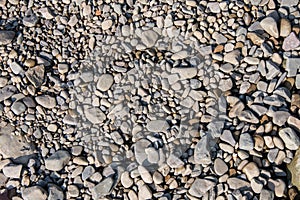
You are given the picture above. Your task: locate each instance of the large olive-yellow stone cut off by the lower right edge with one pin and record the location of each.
(294, 169)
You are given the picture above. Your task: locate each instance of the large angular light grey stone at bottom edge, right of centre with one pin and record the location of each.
(200, 187)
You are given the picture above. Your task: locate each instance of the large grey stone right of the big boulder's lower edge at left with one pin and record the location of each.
(58, 160)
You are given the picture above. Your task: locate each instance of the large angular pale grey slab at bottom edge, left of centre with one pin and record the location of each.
(103, 188)
